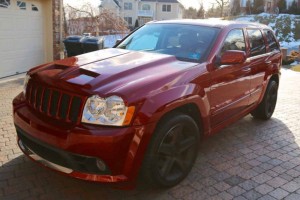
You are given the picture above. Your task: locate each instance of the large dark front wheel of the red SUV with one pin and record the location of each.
(172, 151)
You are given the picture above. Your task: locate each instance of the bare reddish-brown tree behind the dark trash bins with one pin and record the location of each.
(91, 19)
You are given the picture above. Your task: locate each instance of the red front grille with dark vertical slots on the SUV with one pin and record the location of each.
(54, 103)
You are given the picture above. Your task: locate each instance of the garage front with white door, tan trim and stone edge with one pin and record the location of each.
(30, 34)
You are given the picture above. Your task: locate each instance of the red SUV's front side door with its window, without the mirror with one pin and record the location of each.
(230, 89)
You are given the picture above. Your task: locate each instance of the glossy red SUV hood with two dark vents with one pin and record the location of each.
(112, 71)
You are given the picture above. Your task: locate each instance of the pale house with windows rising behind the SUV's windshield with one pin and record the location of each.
(145, 10)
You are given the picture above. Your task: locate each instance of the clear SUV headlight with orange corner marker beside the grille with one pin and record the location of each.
(109, 111)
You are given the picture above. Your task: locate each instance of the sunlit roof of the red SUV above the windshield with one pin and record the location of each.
(213, 23)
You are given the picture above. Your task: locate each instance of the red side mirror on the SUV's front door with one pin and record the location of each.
(231, 57)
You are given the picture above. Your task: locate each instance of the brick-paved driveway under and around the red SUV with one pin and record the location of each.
(251, 159)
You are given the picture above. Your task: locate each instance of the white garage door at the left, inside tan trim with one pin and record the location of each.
(21, 36)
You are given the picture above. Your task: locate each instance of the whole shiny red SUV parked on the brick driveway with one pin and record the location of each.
(142, 107)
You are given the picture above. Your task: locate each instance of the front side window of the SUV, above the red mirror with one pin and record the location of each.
(234, 41)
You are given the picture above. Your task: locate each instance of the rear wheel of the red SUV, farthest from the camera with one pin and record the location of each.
(266, 108)
